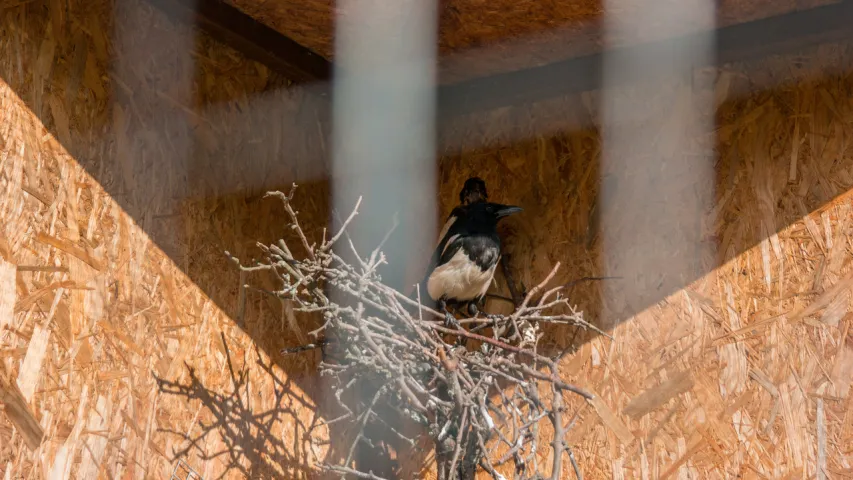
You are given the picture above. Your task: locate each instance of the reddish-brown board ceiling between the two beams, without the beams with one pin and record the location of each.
(477, 24)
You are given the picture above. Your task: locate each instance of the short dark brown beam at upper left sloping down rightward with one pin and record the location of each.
(257, 41)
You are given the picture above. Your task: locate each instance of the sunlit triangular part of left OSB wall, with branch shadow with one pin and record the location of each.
(97, 314)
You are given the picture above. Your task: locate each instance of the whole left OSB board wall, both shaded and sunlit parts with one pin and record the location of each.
(123, 142)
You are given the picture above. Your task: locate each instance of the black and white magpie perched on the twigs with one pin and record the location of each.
(463, 264)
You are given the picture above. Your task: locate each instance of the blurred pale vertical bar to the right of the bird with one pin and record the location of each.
(658, 160)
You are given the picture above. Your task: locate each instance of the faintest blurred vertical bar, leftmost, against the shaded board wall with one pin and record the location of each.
(154, 70)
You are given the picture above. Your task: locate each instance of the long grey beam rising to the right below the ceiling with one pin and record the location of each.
(774, 35)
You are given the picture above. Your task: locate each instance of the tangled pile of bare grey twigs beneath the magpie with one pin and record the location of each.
(400, 350)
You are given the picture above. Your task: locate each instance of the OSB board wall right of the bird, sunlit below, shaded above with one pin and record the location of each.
(745, 372)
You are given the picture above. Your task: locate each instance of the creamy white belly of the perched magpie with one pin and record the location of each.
(459, 279)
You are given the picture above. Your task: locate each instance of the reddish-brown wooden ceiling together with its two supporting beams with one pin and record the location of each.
(516, 56)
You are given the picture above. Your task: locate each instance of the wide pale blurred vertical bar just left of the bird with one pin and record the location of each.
(384, 126)
